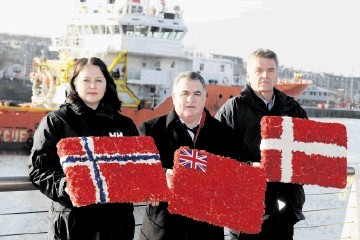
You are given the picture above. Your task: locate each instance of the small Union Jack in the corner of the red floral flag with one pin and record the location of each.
(192, 158)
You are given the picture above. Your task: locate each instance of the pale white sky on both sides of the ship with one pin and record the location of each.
(308, 35)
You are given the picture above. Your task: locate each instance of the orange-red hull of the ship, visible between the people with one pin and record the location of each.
(18, 124)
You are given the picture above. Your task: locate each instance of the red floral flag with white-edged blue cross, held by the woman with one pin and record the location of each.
(112, 169)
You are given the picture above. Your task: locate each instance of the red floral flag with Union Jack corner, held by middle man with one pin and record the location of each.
(218, 190)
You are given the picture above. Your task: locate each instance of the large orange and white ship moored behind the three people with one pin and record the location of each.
(141, 43)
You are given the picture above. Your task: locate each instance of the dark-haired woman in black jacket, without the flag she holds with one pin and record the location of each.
(91, 109)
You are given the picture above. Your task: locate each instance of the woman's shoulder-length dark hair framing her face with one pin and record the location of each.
(110, 97)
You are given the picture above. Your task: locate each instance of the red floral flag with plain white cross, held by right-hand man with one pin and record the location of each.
(304, 151)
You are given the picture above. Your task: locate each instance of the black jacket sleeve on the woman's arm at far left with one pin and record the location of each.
(46, 172)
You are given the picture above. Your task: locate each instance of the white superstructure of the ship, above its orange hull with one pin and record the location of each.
(151, 34)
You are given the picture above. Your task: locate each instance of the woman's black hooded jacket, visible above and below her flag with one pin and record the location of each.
(112, 221)
